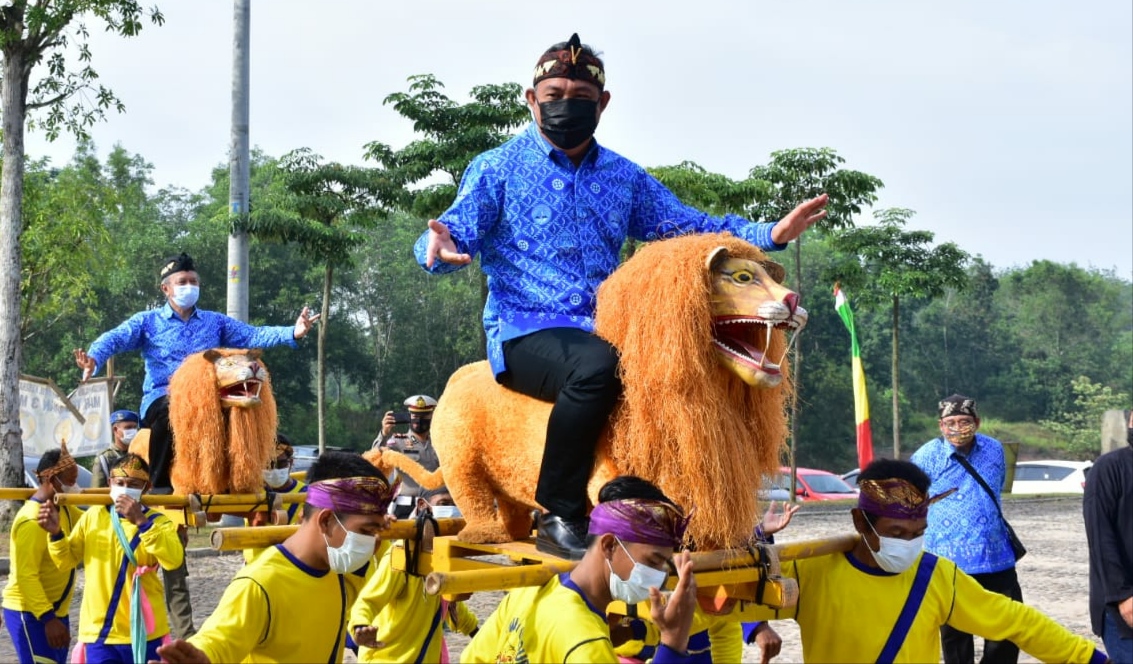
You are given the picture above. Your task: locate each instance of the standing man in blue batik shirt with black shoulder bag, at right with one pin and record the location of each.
(966, 527)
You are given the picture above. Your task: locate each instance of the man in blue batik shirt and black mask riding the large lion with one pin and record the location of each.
(549, 212)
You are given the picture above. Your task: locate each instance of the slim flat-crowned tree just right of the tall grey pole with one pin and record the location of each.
(323, 208)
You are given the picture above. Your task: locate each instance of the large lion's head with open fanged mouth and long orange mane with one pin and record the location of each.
(704, 373)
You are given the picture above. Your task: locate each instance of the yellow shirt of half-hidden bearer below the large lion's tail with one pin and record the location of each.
(398, 606)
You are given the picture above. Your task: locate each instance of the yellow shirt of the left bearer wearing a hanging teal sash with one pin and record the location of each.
(106, 611)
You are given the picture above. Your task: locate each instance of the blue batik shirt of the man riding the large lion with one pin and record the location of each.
(550, 233)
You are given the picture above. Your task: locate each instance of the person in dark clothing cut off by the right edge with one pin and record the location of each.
(1108, 509)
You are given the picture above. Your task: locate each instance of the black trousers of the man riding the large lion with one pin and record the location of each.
(578, 372)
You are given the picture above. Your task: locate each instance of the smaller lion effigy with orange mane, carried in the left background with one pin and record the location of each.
(224, 418)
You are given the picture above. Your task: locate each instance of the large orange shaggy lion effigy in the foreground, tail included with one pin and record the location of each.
(701, 326)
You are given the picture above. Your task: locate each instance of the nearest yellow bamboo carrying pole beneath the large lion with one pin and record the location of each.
(709, 564)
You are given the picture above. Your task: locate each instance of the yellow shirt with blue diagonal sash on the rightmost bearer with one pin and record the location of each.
(847, 611)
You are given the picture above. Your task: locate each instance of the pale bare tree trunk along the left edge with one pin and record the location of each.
(13, 108)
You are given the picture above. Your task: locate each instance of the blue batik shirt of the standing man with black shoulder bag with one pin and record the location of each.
(966, 527)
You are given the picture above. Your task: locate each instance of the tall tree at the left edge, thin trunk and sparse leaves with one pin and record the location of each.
(33, 33)
